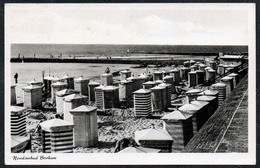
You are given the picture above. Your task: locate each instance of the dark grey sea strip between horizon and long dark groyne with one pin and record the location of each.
(94, 50)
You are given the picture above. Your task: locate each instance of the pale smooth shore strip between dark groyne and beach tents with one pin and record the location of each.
(30, 71)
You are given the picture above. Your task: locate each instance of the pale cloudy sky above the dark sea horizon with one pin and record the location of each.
(171, 24)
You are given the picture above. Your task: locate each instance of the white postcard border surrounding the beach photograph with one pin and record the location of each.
(150, 159)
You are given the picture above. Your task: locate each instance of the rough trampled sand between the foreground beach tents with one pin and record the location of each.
(111, 127)
